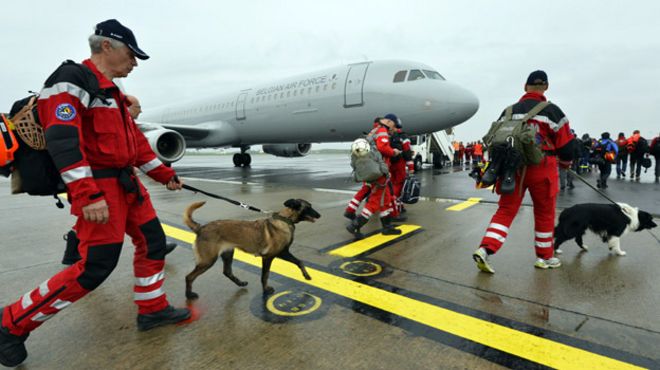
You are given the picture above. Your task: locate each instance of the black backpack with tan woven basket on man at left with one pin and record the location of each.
(33, 170)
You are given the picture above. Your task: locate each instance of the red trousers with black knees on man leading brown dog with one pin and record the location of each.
(100, 247)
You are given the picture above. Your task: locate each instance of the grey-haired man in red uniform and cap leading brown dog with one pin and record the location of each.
(95, 144)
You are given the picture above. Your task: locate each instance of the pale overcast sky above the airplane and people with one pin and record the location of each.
(602, 57)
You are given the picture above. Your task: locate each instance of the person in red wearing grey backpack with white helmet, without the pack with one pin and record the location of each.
(380, 196)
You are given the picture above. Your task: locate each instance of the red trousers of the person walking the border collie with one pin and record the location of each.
(542, 182)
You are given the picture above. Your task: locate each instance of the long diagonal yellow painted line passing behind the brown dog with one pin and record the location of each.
(533, 348)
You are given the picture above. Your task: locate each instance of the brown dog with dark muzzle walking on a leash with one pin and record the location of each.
(269, 238)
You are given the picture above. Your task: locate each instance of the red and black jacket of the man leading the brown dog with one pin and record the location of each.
(84, 133)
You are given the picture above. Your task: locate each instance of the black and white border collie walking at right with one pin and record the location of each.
(609, 221)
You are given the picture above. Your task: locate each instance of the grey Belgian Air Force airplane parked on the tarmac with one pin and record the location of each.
(332, 105)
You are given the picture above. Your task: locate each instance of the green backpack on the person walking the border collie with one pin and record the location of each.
(518, 134)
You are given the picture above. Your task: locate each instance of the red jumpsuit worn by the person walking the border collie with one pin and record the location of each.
(541, 180)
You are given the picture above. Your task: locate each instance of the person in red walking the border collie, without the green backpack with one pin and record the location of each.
(540, 179)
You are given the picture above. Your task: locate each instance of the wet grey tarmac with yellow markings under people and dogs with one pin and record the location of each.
(416, 301)
